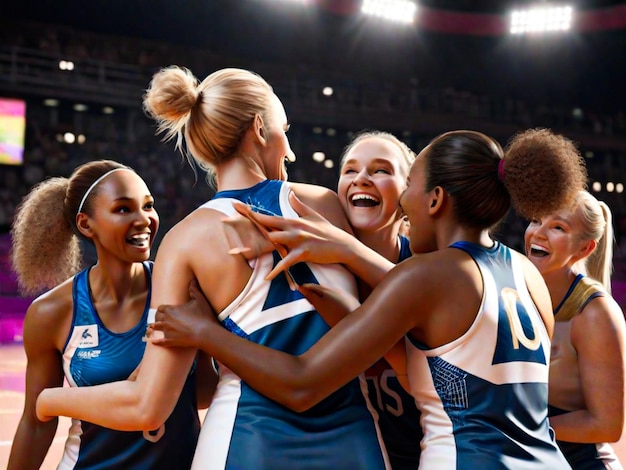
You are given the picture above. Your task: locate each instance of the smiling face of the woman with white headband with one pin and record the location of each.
(124, 221)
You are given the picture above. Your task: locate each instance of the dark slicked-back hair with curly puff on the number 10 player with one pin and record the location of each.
(538, 173)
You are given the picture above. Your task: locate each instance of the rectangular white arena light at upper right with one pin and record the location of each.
(541, 19)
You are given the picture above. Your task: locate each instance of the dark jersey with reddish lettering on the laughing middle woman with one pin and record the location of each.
(398, 415)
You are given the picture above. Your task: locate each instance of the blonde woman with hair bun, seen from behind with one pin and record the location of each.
(233, 125)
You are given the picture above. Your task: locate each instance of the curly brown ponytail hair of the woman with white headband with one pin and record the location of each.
(45, 248)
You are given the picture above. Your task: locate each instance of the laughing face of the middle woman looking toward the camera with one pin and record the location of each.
(372, 178)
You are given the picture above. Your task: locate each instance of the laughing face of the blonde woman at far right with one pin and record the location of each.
(555, 242)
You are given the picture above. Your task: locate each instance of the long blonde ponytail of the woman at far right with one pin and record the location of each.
(597, 225)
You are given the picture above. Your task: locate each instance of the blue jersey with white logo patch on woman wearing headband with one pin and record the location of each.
(95, 355)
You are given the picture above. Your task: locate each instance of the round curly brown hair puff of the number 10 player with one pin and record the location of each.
(543, 172)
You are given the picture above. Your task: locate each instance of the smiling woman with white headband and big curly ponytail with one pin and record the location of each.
(88, 327)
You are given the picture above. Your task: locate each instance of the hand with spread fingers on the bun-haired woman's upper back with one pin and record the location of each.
(309, 238)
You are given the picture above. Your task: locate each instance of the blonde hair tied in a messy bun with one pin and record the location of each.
(212, 116)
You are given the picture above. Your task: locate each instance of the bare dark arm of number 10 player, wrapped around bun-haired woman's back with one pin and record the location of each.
(350, 347)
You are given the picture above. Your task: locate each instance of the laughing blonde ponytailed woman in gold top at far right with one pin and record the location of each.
(573, 251)
